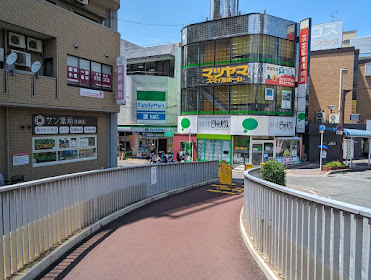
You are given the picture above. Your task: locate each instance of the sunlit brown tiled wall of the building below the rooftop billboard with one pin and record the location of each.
(325, 81)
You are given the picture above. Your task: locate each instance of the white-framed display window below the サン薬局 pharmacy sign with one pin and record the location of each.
(63, 149)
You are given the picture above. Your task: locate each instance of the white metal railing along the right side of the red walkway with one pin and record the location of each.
(303, 236)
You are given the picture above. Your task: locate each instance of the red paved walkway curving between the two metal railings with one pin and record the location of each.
(194, 235)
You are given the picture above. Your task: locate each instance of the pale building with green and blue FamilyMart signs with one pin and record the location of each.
(149, 117)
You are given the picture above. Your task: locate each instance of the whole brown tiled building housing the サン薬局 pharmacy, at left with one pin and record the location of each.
(58, 113)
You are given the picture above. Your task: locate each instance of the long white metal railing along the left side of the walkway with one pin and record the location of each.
(37, 216)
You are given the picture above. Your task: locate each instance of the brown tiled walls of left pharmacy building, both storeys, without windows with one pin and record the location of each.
(60, 30)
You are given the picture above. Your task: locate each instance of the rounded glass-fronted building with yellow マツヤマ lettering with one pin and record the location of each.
(238, 90)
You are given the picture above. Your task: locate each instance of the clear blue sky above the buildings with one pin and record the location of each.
(355, 16)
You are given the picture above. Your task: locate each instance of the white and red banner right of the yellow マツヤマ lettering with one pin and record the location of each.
(279, 75)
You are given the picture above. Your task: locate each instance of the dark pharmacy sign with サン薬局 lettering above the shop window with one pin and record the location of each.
(56, 124)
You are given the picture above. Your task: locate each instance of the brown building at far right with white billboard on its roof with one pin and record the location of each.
(338, 61)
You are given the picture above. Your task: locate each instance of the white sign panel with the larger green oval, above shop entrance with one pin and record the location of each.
(249, 125)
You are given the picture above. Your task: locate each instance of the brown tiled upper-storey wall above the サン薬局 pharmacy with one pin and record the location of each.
(94, 42)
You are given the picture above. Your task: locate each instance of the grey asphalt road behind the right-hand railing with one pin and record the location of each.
(350, 187)
